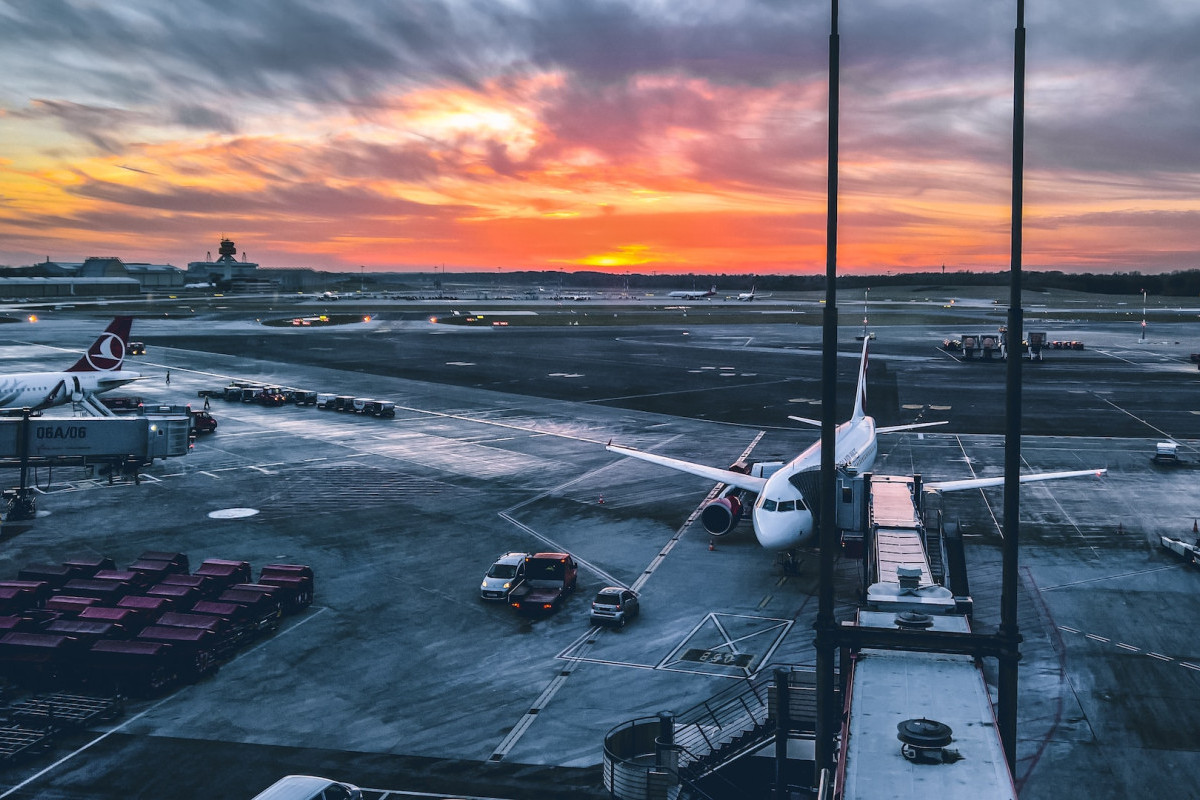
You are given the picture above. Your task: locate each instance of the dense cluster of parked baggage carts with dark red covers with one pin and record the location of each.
(140, 630)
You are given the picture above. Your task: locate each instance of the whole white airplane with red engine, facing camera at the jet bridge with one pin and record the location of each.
(782, 516)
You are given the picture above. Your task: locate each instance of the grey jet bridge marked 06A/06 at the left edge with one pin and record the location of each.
(124, 443)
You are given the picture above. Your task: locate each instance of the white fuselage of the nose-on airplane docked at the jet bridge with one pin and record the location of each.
(782, 516)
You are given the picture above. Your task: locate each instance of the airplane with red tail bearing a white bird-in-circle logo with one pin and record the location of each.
(98, 371)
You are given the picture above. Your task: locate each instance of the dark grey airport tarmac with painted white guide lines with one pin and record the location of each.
(400, 679)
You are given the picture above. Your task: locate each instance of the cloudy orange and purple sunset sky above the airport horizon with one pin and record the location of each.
(633, 136)
